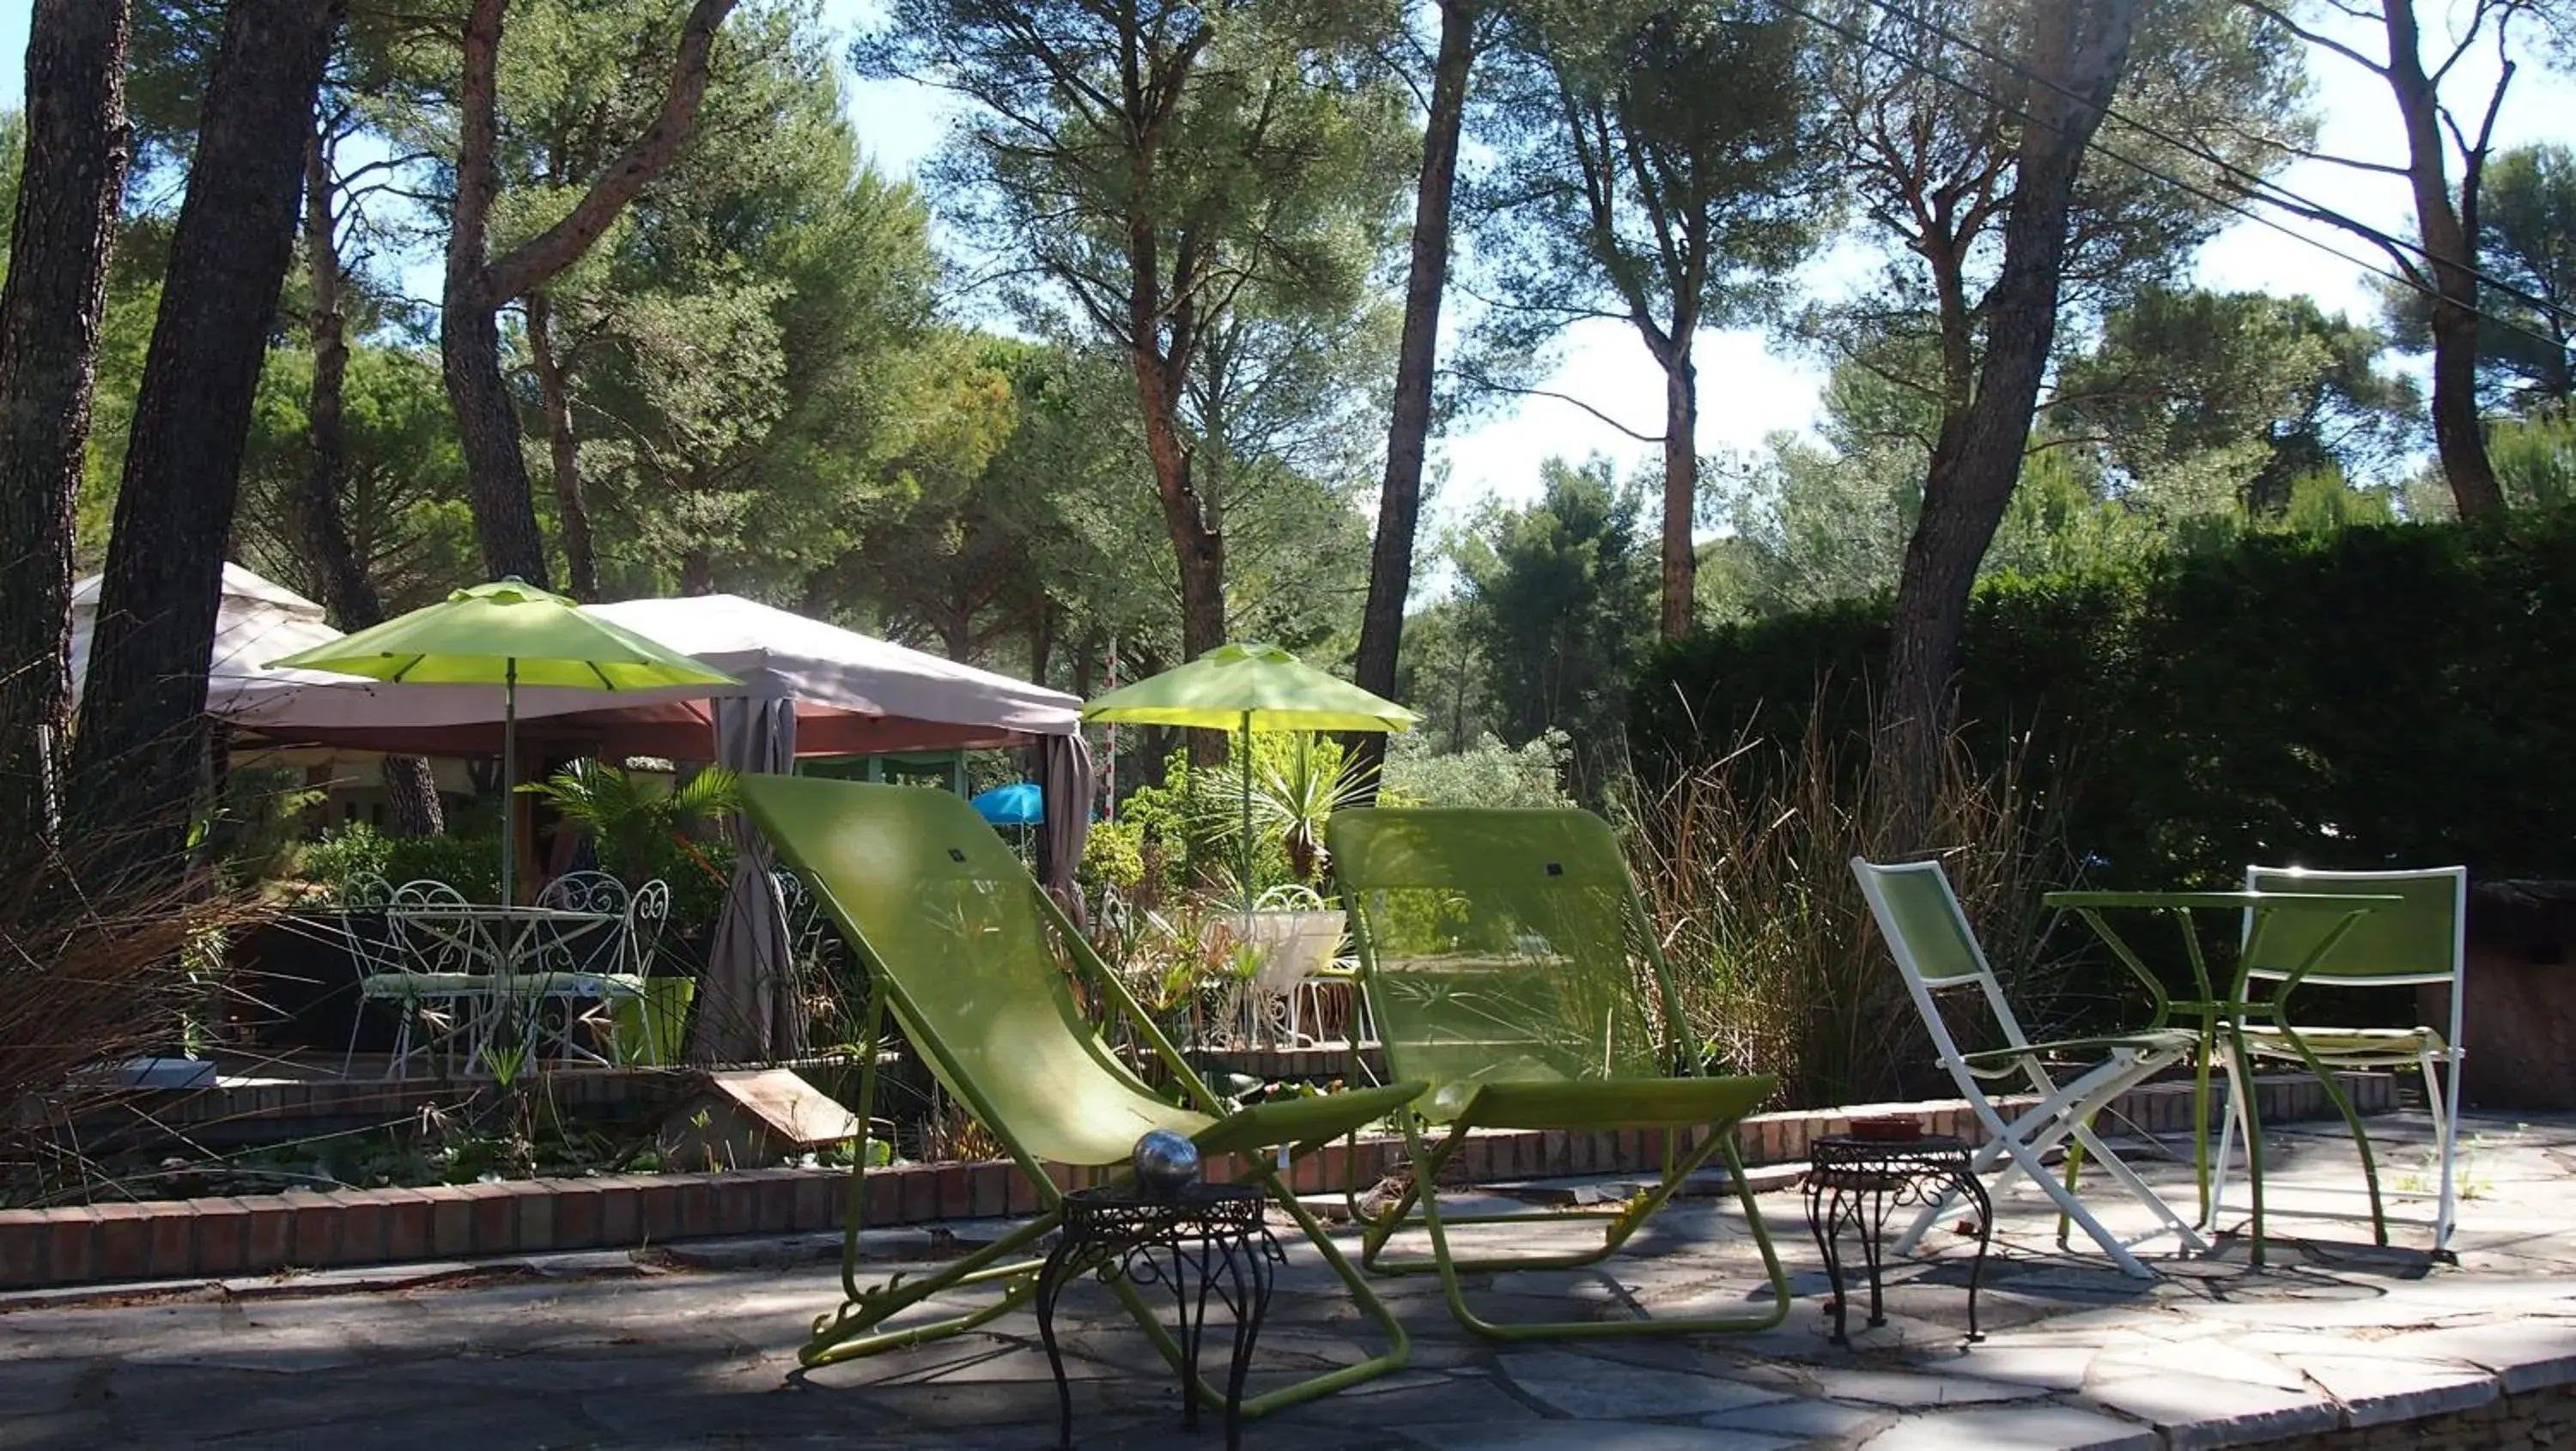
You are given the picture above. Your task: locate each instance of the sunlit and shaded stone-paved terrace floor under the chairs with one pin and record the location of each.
(609, 1352)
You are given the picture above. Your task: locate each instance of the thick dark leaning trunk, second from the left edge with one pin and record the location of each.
(140, 754)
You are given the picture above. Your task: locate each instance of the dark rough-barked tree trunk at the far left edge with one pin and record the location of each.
(58, 285)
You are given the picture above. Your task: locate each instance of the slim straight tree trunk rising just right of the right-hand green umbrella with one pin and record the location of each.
(1418, 362)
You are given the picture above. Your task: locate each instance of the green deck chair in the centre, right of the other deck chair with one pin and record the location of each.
(1508, 963)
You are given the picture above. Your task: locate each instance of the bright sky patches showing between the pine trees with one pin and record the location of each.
(1750, 385)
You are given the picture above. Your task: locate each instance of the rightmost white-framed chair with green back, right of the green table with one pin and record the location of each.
(2415, 945)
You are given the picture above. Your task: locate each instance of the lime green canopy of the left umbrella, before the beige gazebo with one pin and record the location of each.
(506, 633)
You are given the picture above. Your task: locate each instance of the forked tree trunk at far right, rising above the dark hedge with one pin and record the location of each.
(2451, 244)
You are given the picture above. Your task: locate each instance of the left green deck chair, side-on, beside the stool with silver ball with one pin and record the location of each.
(957, 947)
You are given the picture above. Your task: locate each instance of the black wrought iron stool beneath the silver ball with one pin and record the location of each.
(1204, 1238)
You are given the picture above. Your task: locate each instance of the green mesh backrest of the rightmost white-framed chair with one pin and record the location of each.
(2397, 945)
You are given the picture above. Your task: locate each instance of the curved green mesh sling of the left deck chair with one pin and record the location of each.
(939, 903)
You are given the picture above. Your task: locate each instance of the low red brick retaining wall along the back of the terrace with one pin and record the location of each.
(202, 1238)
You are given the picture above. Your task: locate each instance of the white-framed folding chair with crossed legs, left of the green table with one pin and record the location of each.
(1936, 950)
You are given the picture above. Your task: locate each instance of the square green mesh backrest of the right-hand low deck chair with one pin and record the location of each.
(1501, 947)
